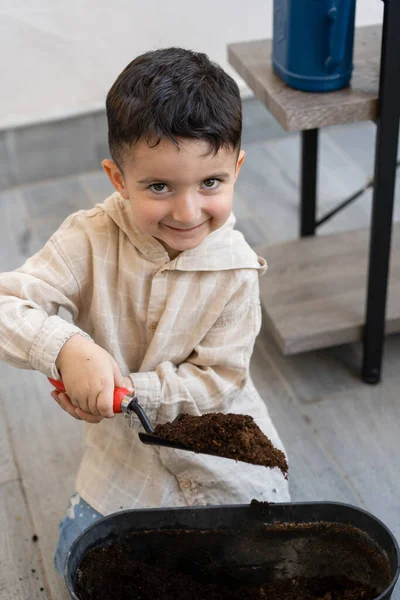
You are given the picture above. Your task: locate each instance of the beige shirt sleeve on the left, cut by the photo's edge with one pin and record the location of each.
(31, 332)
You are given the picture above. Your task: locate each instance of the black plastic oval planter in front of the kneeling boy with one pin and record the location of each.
(249, 547)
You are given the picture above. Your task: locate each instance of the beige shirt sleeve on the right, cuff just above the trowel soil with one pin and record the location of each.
(217, 369)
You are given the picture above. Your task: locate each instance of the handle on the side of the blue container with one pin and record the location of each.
(339, 21)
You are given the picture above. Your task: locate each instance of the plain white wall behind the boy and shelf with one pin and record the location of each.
(62, 56)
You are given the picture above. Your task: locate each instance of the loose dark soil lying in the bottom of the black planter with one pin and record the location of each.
(105, 573)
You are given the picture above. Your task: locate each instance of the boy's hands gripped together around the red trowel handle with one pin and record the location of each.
(89, 375)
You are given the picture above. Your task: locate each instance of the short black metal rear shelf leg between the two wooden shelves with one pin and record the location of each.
(309, 178)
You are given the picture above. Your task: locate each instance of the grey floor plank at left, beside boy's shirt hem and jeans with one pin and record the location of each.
(47, 444)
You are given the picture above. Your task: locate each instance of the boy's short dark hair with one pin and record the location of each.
(173, 93)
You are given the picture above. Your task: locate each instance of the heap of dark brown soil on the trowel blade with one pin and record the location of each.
(226, 435)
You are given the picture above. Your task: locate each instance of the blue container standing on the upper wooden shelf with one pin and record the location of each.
(313, 43)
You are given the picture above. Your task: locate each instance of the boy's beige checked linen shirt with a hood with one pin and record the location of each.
(184, 331)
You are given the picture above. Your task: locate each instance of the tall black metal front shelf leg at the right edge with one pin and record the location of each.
(383, 197)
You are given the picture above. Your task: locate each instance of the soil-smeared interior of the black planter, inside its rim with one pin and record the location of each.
(236, 565)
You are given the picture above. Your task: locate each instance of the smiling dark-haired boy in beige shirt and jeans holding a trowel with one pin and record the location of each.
(163, 294)
